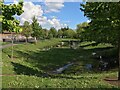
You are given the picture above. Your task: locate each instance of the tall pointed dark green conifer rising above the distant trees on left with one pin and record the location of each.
(36, 28)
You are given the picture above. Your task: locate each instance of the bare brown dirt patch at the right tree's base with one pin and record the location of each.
(113, 81)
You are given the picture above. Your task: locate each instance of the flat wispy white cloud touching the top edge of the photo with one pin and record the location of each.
(53, 6)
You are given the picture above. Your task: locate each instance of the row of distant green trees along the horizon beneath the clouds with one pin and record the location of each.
(36, 30)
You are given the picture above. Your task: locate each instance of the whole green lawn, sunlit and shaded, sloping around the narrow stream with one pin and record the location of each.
(29, 68)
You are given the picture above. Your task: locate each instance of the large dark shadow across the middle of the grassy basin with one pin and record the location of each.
(50, 60)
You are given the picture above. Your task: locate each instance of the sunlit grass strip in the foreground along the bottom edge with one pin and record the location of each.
(81, 81)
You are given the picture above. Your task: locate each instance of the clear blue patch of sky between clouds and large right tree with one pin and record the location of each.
(70, 14)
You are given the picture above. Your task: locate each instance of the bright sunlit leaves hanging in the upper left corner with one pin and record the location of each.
(9, 23)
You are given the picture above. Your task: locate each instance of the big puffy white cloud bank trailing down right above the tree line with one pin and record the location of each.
(31, 10)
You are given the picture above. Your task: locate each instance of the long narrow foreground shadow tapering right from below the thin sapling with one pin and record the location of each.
(24, 70)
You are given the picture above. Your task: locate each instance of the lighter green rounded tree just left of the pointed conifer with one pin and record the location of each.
(27, 30)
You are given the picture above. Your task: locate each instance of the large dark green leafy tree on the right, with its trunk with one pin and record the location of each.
(105, 23)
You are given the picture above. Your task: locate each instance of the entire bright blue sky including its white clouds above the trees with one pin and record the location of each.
(51, 14)
